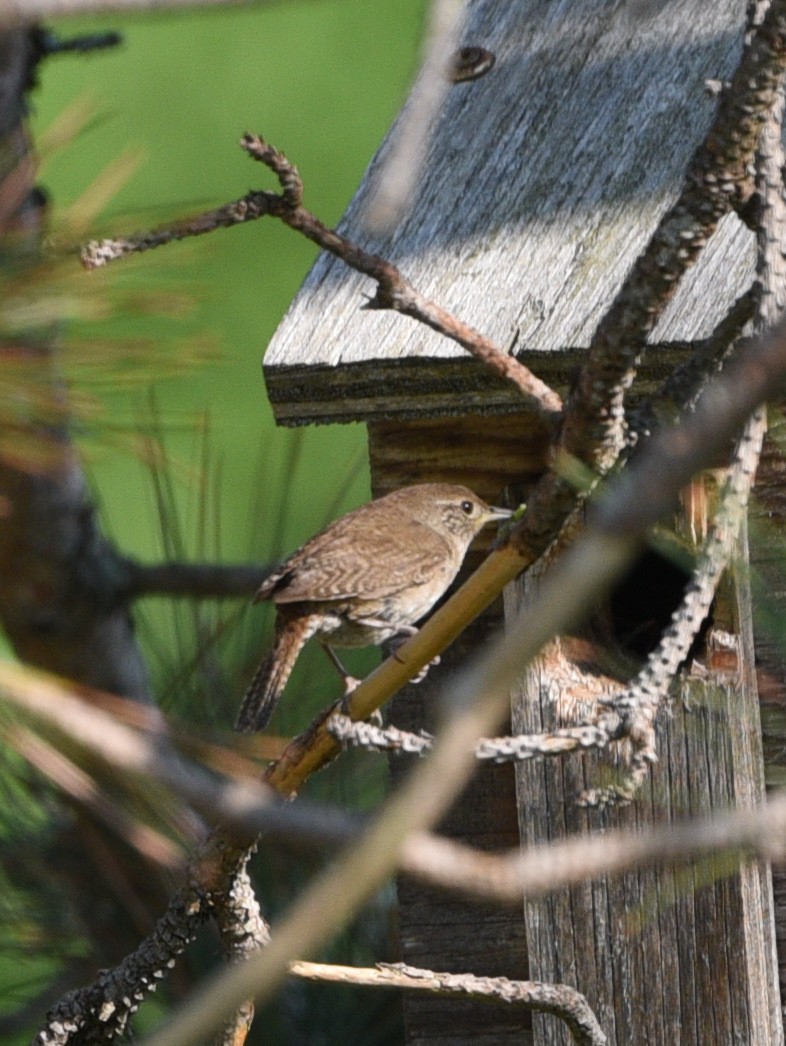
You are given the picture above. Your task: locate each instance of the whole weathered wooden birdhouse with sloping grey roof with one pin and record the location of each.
(542, 184)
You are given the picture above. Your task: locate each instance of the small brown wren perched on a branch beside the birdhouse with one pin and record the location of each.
(366, 579)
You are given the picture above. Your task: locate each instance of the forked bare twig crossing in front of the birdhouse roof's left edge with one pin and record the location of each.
(393, 291)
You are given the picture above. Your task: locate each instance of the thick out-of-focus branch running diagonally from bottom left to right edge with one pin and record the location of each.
(476, 701)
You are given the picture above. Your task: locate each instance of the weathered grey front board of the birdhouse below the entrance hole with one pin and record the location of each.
(680, 957)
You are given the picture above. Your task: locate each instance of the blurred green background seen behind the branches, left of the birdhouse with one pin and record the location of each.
(178, 438)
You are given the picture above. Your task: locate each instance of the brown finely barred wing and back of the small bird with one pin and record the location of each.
(369, 562)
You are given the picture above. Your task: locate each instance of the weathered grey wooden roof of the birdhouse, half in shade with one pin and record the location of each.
(543, 183)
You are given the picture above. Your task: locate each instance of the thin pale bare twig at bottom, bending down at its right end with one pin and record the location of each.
(562, 1000)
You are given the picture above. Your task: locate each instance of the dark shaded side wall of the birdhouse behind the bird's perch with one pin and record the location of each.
(438, 931)
